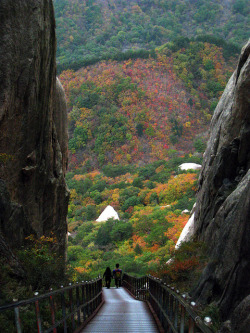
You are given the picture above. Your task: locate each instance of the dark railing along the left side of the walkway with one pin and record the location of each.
(64, 310)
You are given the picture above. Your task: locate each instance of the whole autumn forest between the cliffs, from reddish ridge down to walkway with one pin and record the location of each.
(132, 123)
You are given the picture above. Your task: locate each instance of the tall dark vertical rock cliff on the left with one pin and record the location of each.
(33, 124)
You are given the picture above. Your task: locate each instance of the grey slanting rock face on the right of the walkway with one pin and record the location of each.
(222, 217)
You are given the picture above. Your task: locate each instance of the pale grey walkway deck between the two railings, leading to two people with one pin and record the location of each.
(121, 313)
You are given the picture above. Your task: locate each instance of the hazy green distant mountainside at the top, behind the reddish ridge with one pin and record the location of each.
(89, 30)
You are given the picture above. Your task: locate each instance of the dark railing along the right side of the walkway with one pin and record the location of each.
(171, 308)
